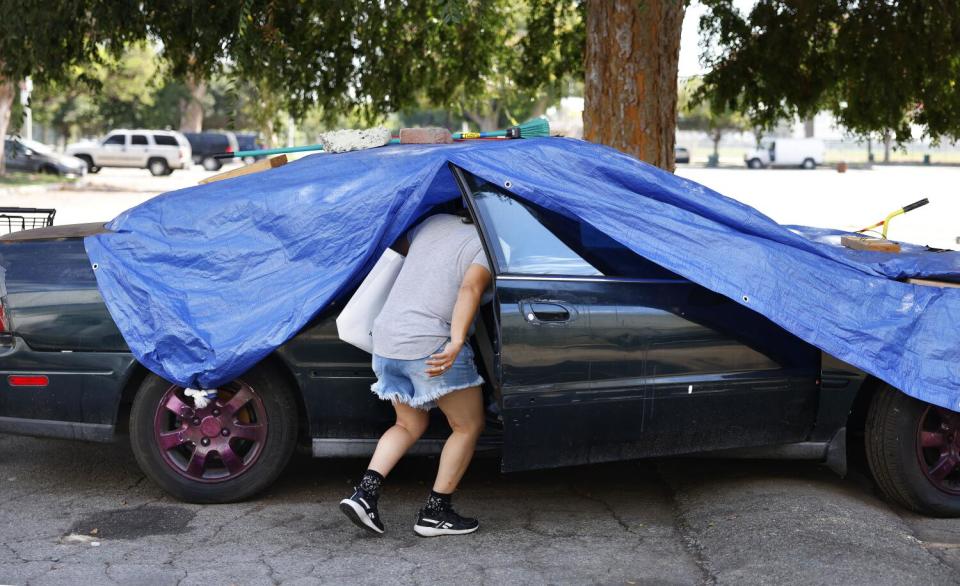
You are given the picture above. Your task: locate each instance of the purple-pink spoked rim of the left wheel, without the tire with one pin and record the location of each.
(214, 444)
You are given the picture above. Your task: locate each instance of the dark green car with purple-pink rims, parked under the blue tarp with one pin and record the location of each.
(584, 363)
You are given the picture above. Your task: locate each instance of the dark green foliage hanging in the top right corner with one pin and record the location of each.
(875, 65)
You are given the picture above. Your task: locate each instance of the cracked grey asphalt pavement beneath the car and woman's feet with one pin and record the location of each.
(75, 513)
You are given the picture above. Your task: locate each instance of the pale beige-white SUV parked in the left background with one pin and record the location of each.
(160, 151)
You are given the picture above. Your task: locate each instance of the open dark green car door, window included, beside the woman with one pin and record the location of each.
(604, 356)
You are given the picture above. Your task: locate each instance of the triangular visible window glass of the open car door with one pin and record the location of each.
(528, 239)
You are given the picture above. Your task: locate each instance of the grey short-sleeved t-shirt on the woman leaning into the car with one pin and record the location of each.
(415, 320)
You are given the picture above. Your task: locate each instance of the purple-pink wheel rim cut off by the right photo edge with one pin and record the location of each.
(938, 448)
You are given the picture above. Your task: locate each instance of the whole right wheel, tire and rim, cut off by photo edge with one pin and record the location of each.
(899, 434)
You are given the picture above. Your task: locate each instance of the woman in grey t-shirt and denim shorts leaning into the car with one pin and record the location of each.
(422, 359)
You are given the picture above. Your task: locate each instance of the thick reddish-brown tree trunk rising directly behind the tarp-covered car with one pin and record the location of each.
(633, 49)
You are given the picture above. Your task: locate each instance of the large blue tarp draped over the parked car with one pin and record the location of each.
(206, 281)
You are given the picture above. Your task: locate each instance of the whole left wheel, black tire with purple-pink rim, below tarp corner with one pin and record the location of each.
(258, 454)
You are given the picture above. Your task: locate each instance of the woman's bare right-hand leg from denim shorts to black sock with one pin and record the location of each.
(464, 411)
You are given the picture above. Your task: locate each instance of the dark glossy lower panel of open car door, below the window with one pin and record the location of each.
(632, 372)
